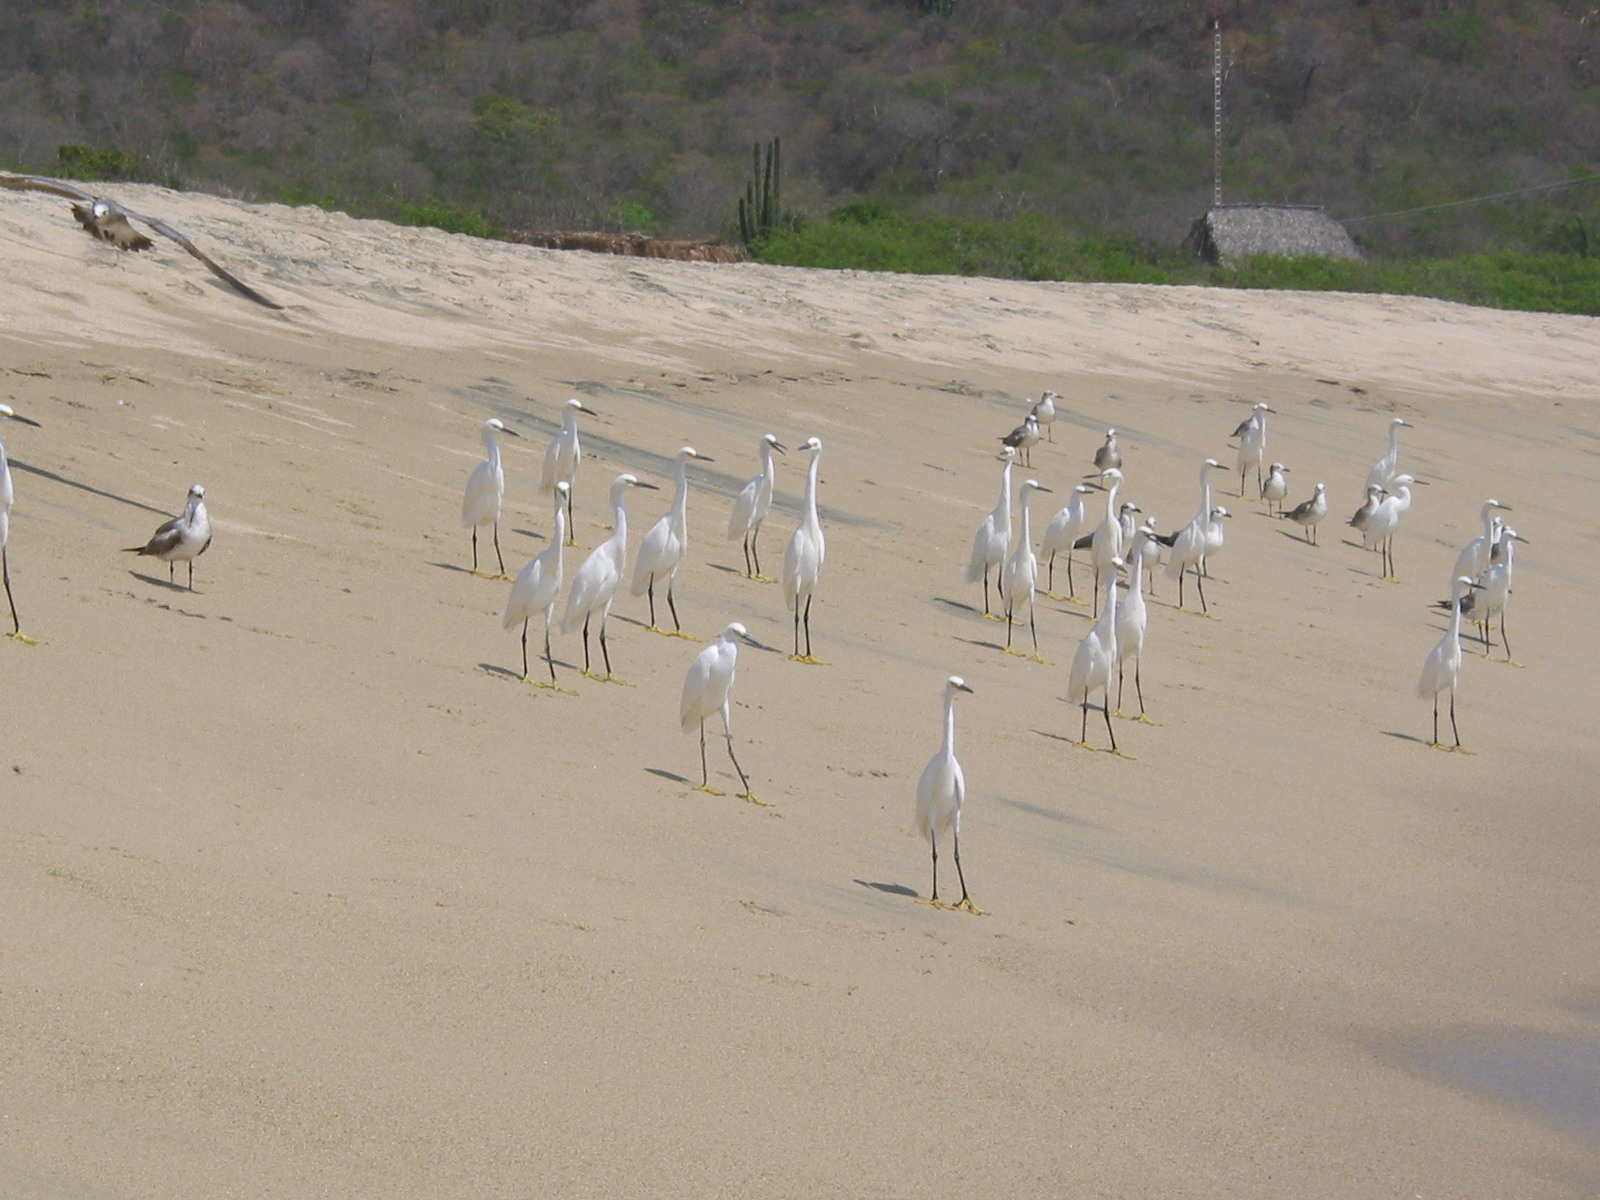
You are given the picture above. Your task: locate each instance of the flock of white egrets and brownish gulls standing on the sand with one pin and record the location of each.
(1122, 553)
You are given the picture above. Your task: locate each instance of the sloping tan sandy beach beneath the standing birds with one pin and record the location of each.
(313, 897)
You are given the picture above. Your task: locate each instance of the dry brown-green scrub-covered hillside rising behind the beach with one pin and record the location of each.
(1092, 118)
